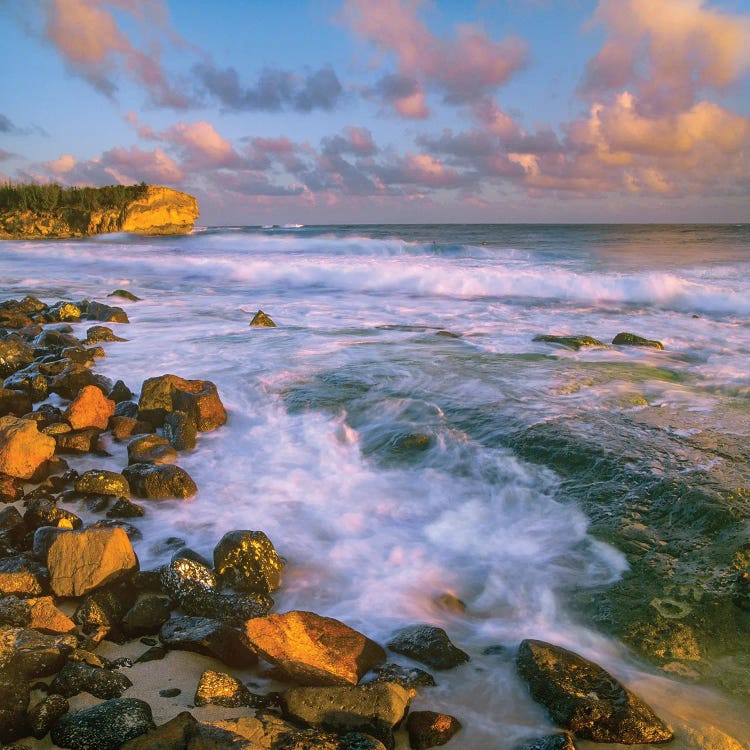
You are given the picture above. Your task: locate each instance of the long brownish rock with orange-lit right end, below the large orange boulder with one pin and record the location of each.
(374, 709)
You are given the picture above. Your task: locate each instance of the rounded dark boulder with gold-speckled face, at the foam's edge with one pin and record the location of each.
(247, 561)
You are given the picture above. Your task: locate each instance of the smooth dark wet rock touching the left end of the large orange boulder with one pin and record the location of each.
(210, 637)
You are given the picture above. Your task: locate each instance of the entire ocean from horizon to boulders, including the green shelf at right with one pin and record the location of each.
(401, 435)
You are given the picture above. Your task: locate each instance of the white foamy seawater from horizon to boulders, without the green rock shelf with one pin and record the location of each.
(317, 406)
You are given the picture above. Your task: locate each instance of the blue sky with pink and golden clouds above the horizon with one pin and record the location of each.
(387, 111)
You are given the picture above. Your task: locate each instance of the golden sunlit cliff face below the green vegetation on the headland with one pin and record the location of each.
(160, 211)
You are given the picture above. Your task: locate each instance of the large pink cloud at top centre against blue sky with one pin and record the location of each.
(464, 68)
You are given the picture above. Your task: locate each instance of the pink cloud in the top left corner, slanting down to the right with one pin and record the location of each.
(90, 40)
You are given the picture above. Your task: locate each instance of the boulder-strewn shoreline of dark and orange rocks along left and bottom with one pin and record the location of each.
(71, 593)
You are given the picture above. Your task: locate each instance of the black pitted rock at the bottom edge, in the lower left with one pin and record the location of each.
(106, 726)
